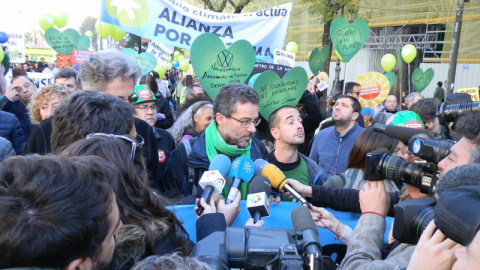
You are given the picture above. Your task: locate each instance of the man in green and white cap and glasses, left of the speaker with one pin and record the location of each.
(145, 105)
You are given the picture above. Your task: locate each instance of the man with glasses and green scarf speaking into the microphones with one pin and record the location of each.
(231, 133)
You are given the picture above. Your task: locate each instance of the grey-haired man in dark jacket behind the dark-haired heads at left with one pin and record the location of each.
(110, 72)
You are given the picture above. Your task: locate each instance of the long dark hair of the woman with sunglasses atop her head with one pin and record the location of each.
(138, 204)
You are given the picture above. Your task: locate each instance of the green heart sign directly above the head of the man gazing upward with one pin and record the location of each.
(276, 93)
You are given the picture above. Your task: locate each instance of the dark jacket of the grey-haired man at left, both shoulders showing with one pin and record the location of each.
(39, 142)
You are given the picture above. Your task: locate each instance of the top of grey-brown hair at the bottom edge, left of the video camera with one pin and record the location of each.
(170, 262)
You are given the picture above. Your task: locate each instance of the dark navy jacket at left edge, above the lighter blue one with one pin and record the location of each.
(11, 130)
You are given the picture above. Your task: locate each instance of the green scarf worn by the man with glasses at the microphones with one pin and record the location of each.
(214, 143)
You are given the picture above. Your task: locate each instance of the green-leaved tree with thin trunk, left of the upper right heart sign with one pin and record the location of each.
(329, 10)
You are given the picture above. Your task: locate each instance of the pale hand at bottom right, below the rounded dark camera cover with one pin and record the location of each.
(433, 251)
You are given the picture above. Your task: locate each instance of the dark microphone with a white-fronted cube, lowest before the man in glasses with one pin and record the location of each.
(257, 200)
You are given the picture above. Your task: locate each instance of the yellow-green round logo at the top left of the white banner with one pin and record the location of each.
(128, 12)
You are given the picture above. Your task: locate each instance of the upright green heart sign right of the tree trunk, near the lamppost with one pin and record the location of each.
(348, 39)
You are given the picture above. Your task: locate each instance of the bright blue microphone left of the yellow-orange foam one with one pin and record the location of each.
(241, 171)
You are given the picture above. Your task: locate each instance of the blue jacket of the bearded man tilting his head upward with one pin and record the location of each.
(331, 151)
